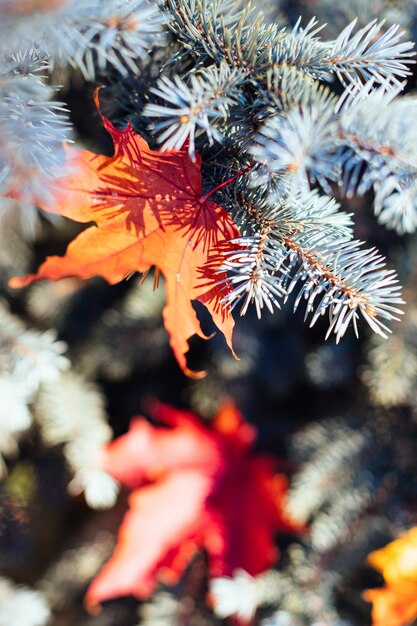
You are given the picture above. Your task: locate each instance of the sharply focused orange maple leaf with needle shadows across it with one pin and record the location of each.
(149, 210)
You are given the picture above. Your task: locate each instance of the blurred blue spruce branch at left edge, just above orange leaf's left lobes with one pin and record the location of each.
(33, 126)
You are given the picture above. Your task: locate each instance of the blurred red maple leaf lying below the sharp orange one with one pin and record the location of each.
(193, 487)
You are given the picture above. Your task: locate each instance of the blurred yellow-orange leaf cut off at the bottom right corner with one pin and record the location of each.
(396, 603)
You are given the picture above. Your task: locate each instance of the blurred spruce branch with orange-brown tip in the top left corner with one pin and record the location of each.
(88, 34)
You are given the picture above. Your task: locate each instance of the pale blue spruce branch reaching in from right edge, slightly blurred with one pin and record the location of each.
(364, 139)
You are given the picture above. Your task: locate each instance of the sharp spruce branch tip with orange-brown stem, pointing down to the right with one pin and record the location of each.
(350, 281)
